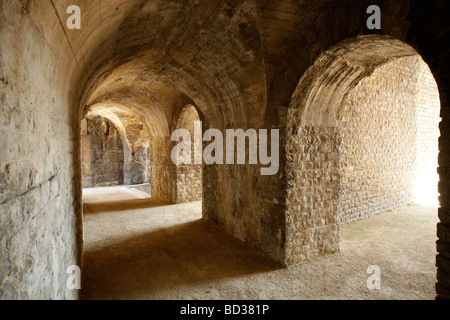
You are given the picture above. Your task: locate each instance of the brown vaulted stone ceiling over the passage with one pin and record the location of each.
(223, 55)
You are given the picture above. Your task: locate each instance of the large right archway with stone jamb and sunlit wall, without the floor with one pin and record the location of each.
(327, 136)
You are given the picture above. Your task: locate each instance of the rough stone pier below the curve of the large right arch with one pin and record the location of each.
(312, 226)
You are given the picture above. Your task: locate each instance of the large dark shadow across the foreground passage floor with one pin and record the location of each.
(141, 266)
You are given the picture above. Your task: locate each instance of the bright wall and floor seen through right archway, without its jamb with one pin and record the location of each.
(388, 196)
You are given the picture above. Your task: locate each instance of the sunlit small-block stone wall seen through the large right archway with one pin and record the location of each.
(388, 129)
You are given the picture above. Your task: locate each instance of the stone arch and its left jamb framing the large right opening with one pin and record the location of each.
(313, 140)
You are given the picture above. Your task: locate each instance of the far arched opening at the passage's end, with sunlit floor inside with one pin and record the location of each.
(115, 154)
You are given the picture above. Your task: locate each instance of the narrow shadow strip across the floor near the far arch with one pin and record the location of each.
(122, 205)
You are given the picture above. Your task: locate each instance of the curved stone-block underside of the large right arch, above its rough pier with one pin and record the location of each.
(336, 72)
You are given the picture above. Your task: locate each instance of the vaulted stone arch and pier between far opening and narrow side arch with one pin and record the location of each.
(158, 108)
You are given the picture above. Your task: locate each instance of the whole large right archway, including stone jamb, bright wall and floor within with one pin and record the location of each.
(363, 131)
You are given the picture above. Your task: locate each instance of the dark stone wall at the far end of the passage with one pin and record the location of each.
(102, 154)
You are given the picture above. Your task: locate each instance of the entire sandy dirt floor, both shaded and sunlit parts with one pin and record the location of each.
(138, 248)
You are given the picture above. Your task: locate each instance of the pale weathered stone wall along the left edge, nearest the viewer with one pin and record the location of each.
(39, 223)
